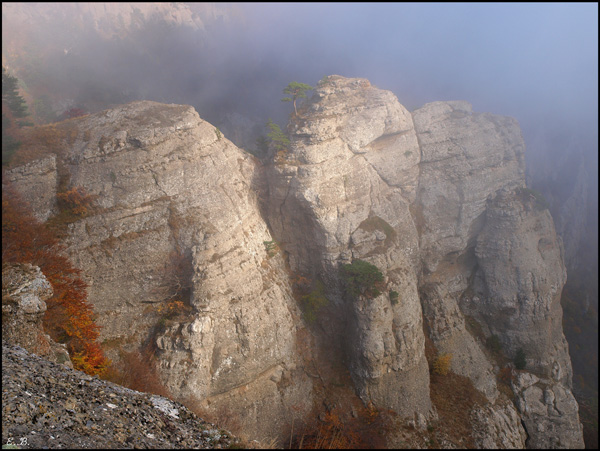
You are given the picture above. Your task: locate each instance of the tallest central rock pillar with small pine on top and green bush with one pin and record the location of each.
(343, 192)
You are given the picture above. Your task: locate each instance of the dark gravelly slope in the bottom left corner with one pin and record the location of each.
(47, 405)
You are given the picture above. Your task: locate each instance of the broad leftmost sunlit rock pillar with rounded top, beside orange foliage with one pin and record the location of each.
(168, 187)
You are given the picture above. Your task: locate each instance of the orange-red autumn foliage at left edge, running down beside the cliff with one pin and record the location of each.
(69, 318)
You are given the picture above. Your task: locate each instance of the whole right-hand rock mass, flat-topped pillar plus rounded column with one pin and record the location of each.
(491, 256)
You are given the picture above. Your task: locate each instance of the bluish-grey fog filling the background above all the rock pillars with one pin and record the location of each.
(535, 62)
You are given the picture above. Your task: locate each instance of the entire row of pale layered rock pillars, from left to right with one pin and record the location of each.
(434, 199)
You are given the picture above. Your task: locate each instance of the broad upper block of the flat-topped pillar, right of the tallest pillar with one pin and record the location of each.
(466, 158)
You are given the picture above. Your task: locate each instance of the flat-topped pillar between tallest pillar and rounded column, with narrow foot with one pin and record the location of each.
(466, 158)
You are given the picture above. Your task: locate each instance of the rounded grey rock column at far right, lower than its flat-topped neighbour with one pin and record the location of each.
(518, 283)
